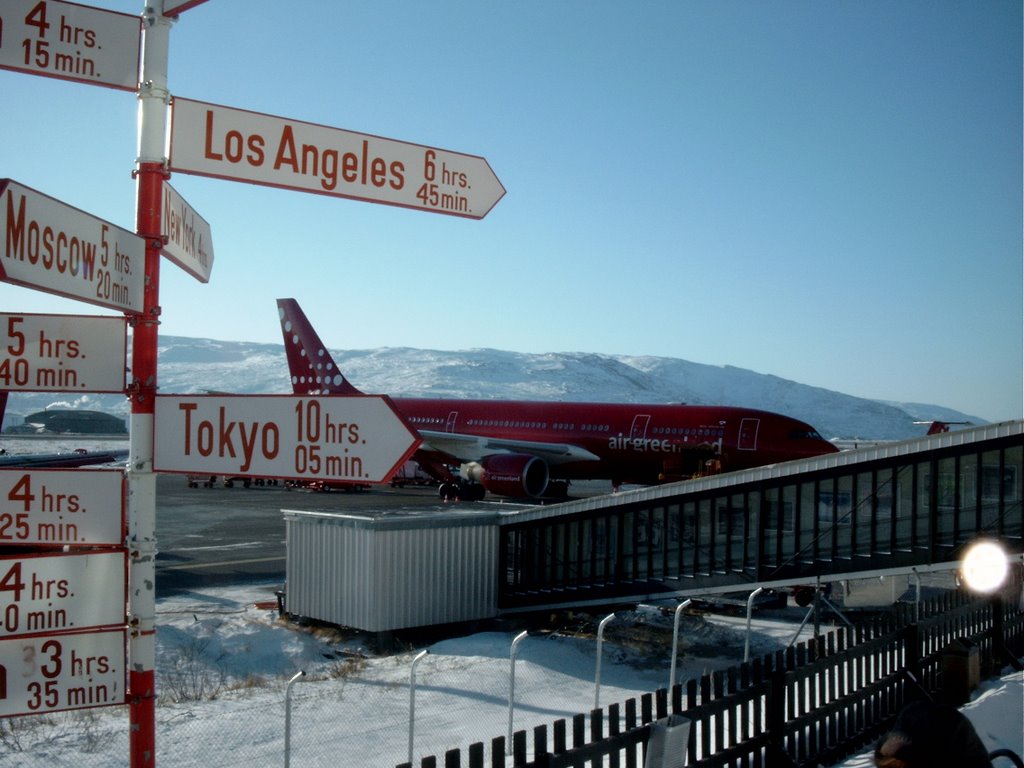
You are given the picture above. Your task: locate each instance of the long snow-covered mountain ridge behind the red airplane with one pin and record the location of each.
(189, 366)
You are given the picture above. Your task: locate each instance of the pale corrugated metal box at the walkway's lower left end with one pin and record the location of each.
(388, 574)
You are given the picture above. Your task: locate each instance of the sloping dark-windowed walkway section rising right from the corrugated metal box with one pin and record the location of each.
(885, 509)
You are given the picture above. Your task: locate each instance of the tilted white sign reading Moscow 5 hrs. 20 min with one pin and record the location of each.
(59, 249)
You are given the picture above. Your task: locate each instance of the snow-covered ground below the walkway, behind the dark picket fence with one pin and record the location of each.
(225, 661)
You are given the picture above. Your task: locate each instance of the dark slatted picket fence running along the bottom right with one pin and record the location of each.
(812, 705)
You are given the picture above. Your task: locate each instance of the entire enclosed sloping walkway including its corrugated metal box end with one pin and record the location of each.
(901, 507)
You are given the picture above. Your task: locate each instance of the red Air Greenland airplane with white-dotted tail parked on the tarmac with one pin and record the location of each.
(532, 449)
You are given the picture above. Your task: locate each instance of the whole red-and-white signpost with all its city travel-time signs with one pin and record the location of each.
(47, 601)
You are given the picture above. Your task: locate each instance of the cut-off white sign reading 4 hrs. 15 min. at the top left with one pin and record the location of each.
(71, 42)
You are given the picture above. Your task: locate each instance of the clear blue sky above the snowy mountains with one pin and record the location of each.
(828, 192)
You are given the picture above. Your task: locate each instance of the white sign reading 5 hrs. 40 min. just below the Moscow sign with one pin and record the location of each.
(63, 353)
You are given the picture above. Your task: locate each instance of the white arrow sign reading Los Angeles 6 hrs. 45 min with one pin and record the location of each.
(225, 143)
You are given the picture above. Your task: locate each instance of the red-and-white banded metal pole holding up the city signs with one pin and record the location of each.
(151, 172)
